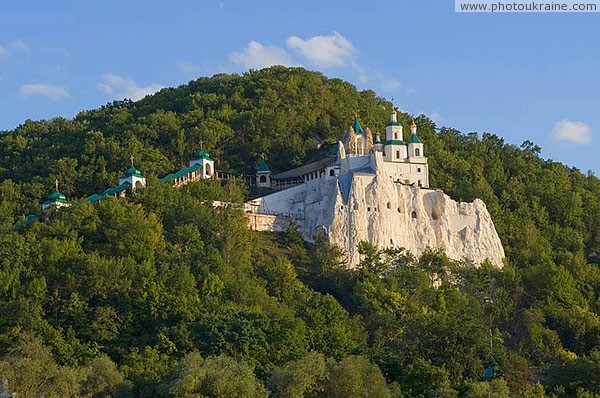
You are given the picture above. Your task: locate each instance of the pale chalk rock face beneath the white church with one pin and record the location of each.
(367, 205)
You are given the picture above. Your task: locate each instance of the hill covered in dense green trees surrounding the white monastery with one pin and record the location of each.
(163, 295)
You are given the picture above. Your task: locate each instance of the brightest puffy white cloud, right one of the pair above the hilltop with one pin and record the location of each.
(324, 51)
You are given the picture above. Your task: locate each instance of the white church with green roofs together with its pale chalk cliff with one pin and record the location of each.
(377, 192)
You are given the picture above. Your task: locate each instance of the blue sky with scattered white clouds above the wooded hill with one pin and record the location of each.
(522, 76)
